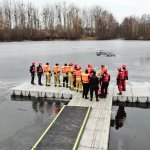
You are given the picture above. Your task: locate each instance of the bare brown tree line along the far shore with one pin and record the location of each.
(23, 21)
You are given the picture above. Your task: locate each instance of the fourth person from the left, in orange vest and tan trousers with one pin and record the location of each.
(56, 71)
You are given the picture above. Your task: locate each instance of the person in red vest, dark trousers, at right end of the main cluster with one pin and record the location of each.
(104, 80)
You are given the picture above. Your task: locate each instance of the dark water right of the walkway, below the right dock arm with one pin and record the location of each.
(133, 132)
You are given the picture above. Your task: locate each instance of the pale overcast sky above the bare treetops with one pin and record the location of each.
(119, 8)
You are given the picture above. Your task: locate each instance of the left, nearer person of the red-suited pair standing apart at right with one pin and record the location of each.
(120, 78)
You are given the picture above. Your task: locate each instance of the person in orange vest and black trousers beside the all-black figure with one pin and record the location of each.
(85, 80)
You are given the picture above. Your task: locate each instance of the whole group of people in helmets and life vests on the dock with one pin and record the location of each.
(75, 79)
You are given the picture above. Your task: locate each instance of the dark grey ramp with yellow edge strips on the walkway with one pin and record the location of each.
(65, 131)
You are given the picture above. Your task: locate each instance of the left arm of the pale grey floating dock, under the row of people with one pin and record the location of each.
(27, 90)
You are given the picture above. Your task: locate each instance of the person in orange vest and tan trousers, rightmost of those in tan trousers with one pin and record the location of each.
(78, 79)
